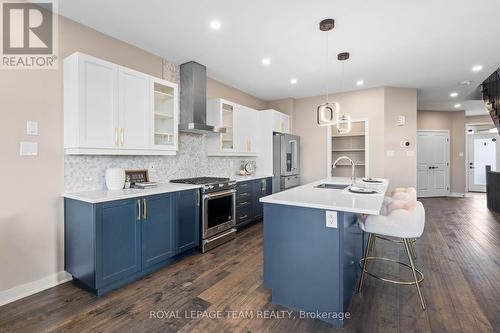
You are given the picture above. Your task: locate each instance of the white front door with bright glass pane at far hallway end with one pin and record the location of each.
(482, 151)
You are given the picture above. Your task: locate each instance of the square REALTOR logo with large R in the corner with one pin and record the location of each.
(29, 34)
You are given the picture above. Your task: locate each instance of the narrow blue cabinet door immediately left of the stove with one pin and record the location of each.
(188, 220)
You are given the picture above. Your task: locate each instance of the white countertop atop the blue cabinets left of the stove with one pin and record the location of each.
(105, 195)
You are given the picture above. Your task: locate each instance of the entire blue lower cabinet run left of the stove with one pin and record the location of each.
(110, 244)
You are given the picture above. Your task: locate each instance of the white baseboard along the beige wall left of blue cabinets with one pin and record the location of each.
(30, 288)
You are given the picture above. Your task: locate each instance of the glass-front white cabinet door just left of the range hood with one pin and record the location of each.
(165, 114)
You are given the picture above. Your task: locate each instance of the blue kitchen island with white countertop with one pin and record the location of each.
(312, 245)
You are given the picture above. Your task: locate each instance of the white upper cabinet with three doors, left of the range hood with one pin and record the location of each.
(113, 110)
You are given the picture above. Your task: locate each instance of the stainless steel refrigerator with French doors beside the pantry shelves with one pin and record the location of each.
(286, 161)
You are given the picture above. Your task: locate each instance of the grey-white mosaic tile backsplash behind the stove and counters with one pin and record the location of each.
(86, 173)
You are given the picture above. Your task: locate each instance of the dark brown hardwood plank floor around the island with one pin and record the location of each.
(459, 254)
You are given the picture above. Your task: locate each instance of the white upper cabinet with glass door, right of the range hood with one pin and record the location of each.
(241, 123)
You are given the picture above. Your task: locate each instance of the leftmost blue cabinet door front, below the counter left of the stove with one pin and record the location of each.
(118, 239)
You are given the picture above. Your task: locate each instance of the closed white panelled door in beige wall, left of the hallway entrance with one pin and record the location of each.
(433, 167)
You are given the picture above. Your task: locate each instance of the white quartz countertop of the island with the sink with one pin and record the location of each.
(332, 199)
